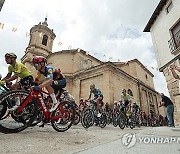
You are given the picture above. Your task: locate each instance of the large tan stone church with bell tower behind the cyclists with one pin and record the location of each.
(81, 70)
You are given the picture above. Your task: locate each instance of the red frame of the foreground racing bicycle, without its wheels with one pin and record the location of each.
(46, 113)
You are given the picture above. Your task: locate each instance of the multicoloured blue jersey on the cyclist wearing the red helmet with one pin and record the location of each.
(51, 73)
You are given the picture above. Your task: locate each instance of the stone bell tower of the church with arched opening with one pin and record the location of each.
(40, 43)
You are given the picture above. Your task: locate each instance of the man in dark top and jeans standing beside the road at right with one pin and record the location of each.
(169, 109)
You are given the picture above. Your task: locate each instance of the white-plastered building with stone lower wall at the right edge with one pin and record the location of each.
(164, 26)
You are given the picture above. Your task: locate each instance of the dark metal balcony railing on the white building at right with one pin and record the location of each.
(174, 42)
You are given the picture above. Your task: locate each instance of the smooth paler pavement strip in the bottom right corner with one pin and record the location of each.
(116, 146)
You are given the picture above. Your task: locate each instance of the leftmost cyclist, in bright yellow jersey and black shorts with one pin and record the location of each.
(19, 70)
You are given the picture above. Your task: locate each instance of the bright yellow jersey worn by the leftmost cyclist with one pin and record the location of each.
(20, 69)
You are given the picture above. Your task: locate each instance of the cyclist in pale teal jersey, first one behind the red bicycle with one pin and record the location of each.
(98, 97)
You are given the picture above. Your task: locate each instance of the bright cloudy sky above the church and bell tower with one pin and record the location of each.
(102, 27)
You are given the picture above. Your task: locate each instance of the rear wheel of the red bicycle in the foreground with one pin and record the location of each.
(63, 124)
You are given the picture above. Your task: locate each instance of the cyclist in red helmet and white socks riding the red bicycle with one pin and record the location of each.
(54, 79)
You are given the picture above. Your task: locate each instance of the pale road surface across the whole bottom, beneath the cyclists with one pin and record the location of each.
(95, 140)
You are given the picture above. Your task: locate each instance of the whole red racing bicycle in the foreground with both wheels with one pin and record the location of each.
(61, 119)
